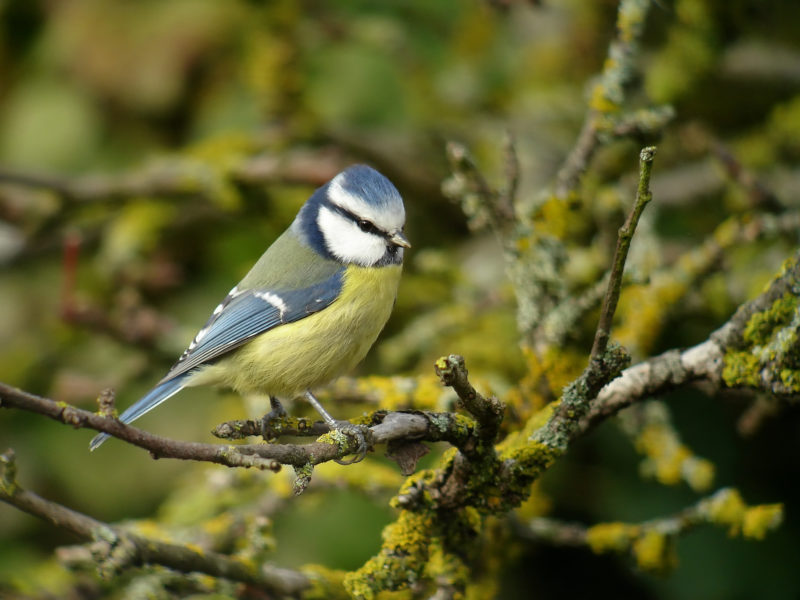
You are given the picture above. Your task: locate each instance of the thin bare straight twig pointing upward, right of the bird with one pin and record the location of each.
(643, 196)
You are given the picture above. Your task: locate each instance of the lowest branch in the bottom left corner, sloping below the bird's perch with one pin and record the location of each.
(118, 549)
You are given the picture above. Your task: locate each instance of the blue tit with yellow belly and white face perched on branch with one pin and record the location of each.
(309, 309)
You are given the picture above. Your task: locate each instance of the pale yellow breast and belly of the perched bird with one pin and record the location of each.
(302, 355)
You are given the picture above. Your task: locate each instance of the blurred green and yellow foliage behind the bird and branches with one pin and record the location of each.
(150, 151)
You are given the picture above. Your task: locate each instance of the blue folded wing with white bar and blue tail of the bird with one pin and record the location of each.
(243, 315)
